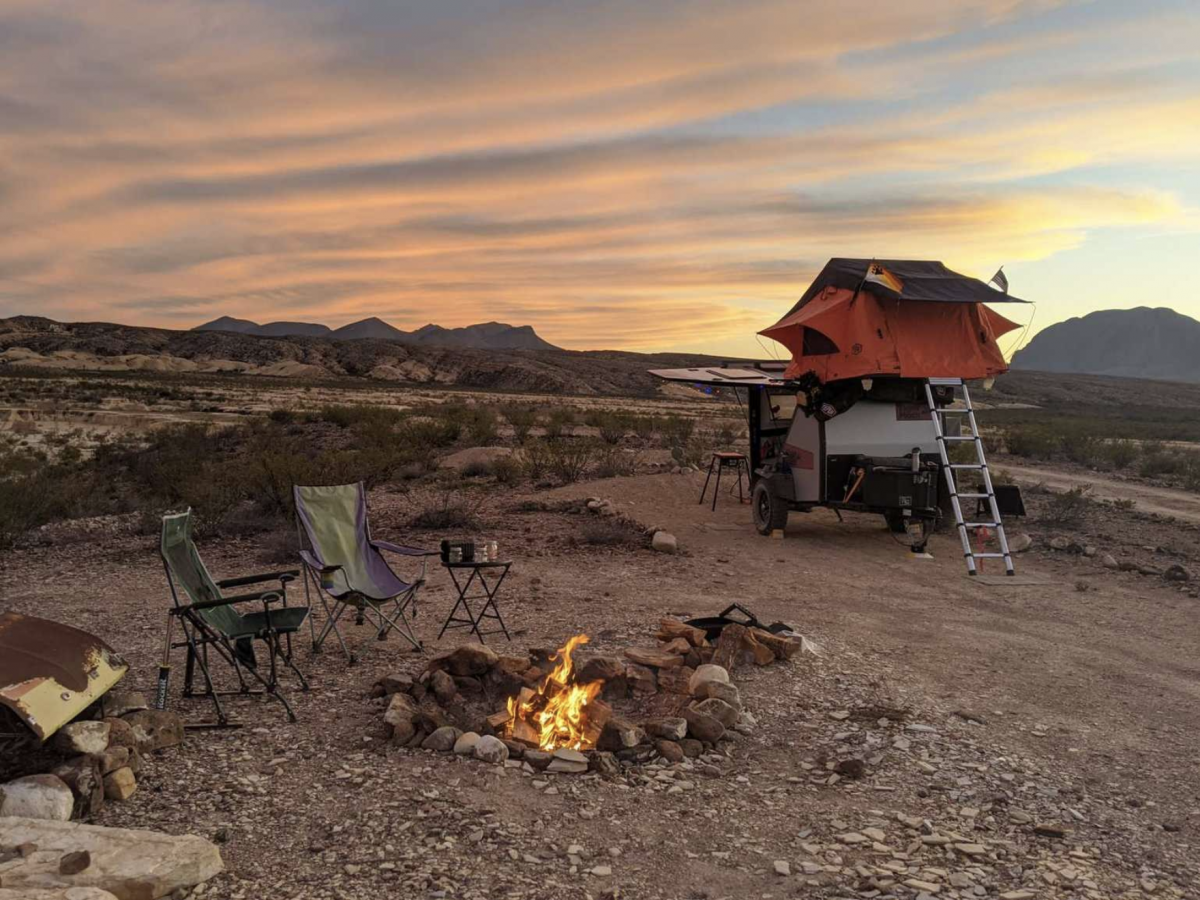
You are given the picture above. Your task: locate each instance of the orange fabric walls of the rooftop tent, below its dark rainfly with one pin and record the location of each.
(839, 335)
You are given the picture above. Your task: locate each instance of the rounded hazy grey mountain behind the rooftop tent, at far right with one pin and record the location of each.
(1157, 344)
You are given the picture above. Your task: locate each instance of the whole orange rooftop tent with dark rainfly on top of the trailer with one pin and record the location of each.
(911, 320)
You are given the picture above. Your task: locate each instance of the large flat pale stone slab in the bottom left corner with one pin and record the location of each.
(131, 865)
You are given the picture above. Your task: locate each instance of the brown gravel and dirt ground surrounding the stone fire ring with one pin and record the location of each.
(1018, 741)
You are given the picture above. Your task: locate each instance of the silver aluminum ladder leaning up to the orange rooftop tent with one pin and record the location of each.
(967, 530)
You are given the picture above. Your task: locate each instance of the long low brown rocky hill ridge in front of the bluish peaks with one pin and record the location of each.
(32, 341)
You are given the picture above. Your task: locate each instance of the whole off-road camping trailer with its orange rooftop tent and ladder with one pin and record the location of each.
(866, 413)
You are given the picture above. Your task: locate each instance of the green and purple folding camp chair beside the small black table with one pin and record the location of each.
(347, 567)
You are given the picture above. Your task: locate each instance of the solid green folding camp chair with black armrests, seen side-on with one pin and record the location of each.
(212, 621)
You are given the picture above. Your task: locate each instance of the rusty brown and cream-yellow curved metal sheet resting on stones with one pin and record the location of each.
(52, 673)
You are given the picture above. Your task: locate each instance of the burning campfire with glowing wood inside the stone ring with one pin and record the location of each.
(561, 713)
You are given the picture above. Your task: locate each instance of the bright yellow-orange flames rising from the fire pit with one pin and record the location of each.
(557, 711)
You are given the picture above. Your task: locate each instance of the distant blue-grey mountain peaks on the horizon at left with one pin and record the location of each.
(487, 337)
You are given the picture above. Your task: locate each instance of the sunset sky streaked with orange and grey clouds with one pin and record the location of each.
(663, 176)
